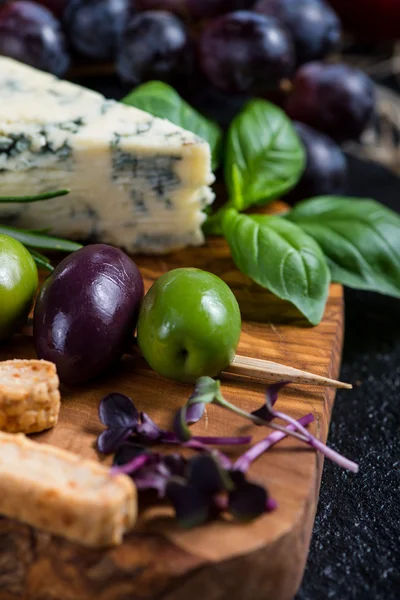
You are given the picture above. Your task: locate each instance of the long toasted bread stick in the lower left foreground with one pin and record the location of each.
(63, 494)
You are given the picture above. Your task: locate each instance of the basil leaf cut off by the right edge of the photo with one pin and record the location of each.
(360, 238)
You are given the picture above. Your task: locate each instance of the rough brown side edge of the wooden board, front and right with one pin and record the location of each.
(37, 566)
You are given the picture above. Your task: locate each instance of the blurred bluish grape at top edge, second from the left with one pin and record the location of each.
(94, 27)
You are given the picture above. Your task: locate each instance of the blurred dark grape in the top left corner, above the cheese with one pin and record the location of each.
(31, 34)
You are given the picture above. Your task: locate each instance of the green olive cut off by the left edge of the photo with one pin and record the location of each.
(18, 284)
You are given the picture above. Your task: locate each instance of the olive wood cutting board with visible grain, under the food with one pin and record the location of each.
(263, 560)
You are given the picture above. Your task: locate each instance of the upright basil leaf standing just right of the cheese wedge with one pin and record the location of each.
(264, 155)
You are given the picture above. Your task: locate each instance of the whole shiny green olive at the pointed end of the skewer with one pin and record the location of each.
(189, 325)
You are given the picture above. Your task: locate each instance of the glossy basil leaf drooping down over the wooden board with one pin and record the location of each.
(279, 256)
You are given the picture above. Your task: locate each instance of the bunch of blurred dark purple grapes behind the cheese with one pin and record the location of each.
(238, 48)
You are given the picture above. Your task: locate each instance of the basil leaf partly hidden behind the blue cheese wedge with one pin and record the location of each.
(161, 100)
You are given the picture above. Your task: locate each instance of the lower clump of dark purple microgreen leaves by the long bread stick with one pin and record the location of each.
(199, 488)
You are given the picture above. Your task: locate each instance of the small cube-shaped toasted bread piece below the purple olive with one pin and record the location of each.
(29, 396)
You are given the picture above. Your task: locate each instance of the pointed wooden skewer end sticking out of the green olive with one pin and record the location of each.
(266, 370)
